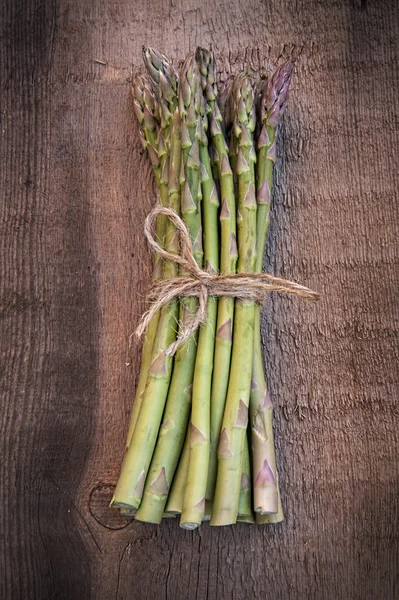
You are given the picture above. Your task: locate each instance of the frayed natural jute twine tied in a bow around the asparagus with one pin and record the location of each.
(202, 284)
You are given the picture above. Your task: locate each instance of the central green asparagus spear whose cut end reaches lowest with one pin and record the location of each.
(194, 498)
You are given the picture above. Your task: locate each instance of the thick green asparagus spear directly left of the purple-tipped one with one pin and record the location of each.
(235, 418)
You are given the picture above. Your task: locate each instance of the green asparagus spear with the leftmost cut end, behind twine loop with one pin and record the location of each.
(130, 487)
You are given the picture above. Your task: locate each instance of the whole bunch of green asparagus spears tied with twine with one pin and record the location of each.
(200, 442)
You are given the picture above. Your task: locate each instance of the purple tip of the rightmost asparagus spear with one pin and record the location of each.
(275, 94)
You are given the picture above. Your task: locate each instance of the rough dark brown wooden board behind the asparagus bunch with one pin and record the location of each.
(75, 188)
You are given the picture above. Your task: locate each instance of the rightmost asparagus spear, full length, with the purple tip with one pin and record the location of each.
(266, 491)
